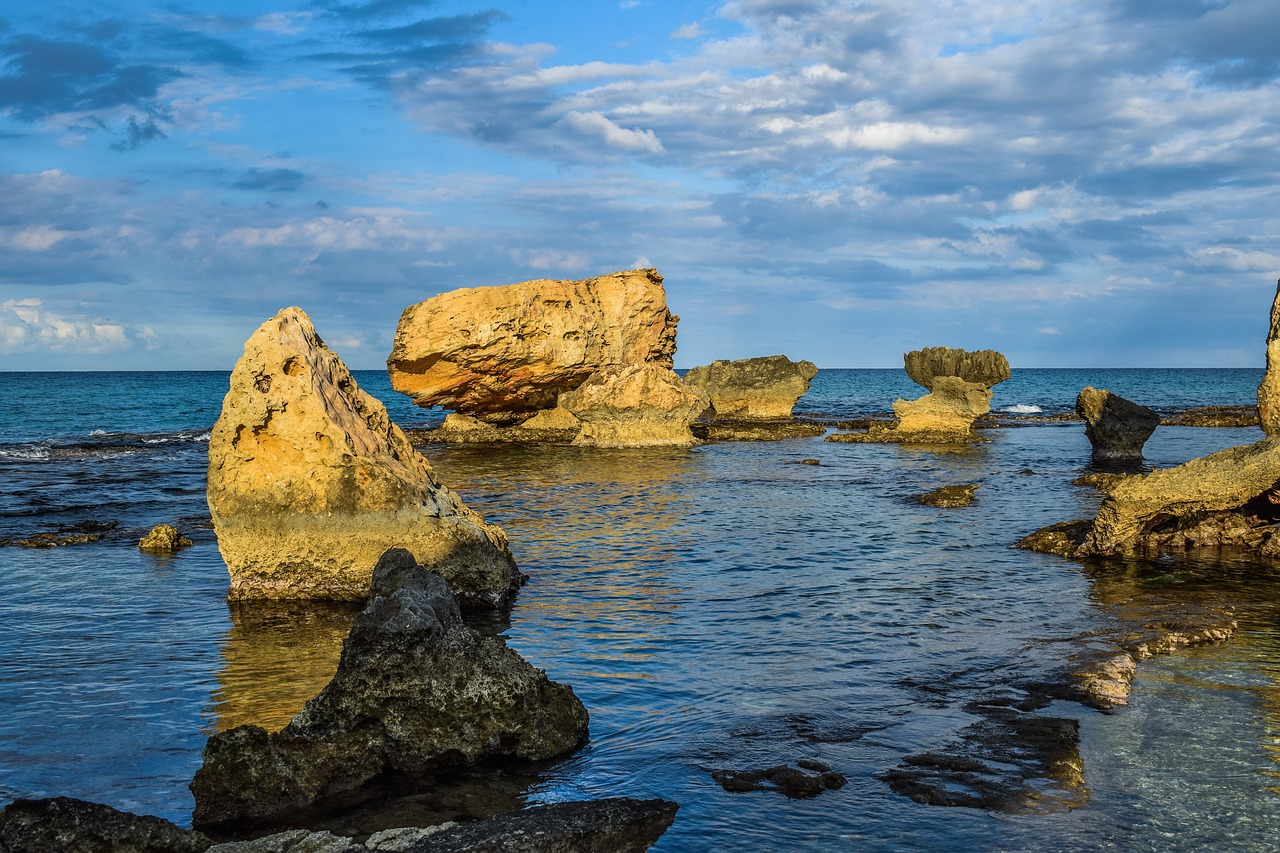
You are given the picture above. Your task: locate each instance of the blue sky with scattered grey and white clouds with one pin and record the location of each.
(1075, 184)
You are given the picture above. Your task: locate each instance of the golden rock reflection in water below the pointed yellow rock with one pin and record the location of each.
(277, 656)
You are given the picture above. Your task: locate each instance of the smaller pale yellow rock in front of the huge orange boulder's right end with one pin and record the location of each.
(641, 405)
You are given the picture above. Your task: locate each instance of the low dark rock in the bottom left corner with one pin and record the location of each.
(67, 825)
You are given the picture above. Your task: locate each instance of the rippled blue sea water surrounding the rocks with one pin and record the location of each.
(717, 608)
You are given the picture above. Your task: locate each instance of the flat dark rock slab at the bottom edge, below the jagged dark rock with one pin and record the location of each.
(618, 825)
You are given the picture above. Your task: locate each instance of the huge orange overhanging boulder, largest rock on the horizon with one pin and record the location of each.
(502, 354)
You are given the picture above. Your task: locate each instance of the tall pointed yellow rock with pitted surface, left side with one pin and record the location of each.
(310, 482)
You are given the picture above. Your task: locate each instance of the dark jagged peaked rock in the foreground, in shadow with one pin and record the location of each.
(417, 695)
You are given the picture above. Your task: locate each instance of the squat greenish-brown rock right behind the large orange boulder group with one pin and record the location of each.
(765, 389)
